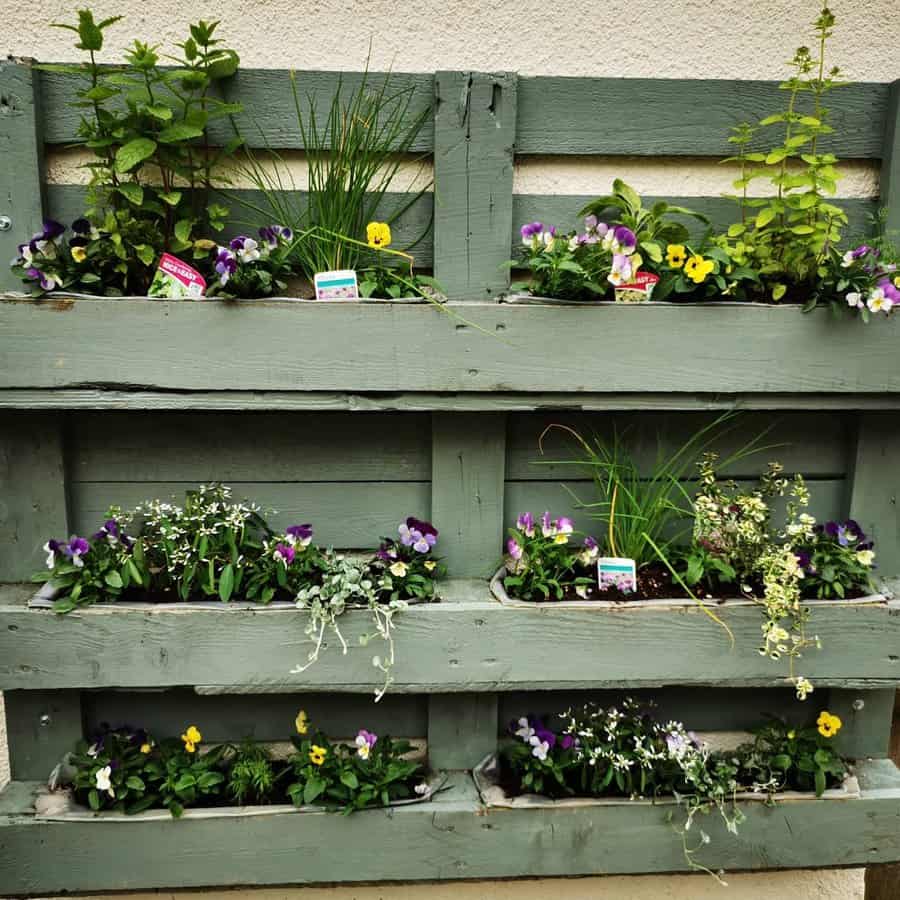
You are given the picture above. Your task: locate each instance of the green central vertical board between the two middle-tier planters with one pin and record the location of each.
(468, 459)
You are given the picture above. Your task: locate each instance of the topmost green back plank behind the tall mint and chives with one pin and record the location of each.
(269, 118)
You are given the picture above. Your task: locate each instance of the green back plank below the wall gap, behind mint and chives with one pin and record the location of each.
(248, 209)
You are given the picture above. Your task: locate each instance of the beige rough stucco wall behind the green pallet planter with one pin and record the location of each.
(681, 38)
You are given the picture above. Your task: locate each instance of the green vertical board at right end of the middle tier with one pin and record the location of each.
(875, 484)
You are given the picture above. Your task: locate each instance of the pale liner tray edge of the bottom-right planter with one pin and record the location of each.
(492, 794)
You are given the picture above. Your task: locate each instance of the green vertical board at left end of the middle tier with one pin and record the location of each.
(33, 504)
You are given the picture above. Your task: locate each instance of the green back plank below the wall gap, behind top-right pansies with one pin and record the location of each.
(562, 210)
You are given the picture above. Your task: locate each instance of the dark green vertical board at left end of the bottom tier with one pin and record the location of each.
(41, 726)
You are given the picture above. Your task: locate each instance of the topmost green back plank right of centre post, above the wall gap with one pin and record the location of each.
(679, 117)
